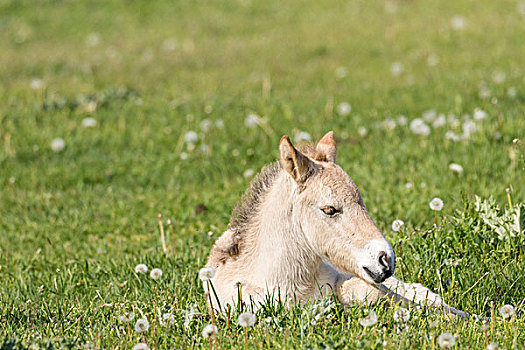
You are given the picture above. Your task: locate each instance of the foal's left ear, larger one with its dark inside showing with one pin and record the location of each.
(294, 162)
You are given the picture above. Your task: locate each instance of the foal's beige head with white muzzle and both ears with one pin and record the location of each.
(329, 210)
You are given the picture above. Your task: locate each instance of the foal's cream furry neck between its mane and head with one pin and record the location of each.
(282, 255)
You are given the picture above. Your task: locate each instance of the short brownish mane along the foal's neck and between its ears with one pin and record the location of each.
(250, 202)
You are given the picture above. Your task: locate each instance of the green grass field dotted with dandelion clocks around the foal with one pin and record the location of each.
(77, 216)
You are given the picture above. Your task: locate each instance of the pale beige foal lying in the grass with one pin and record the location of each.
(301, 232)
